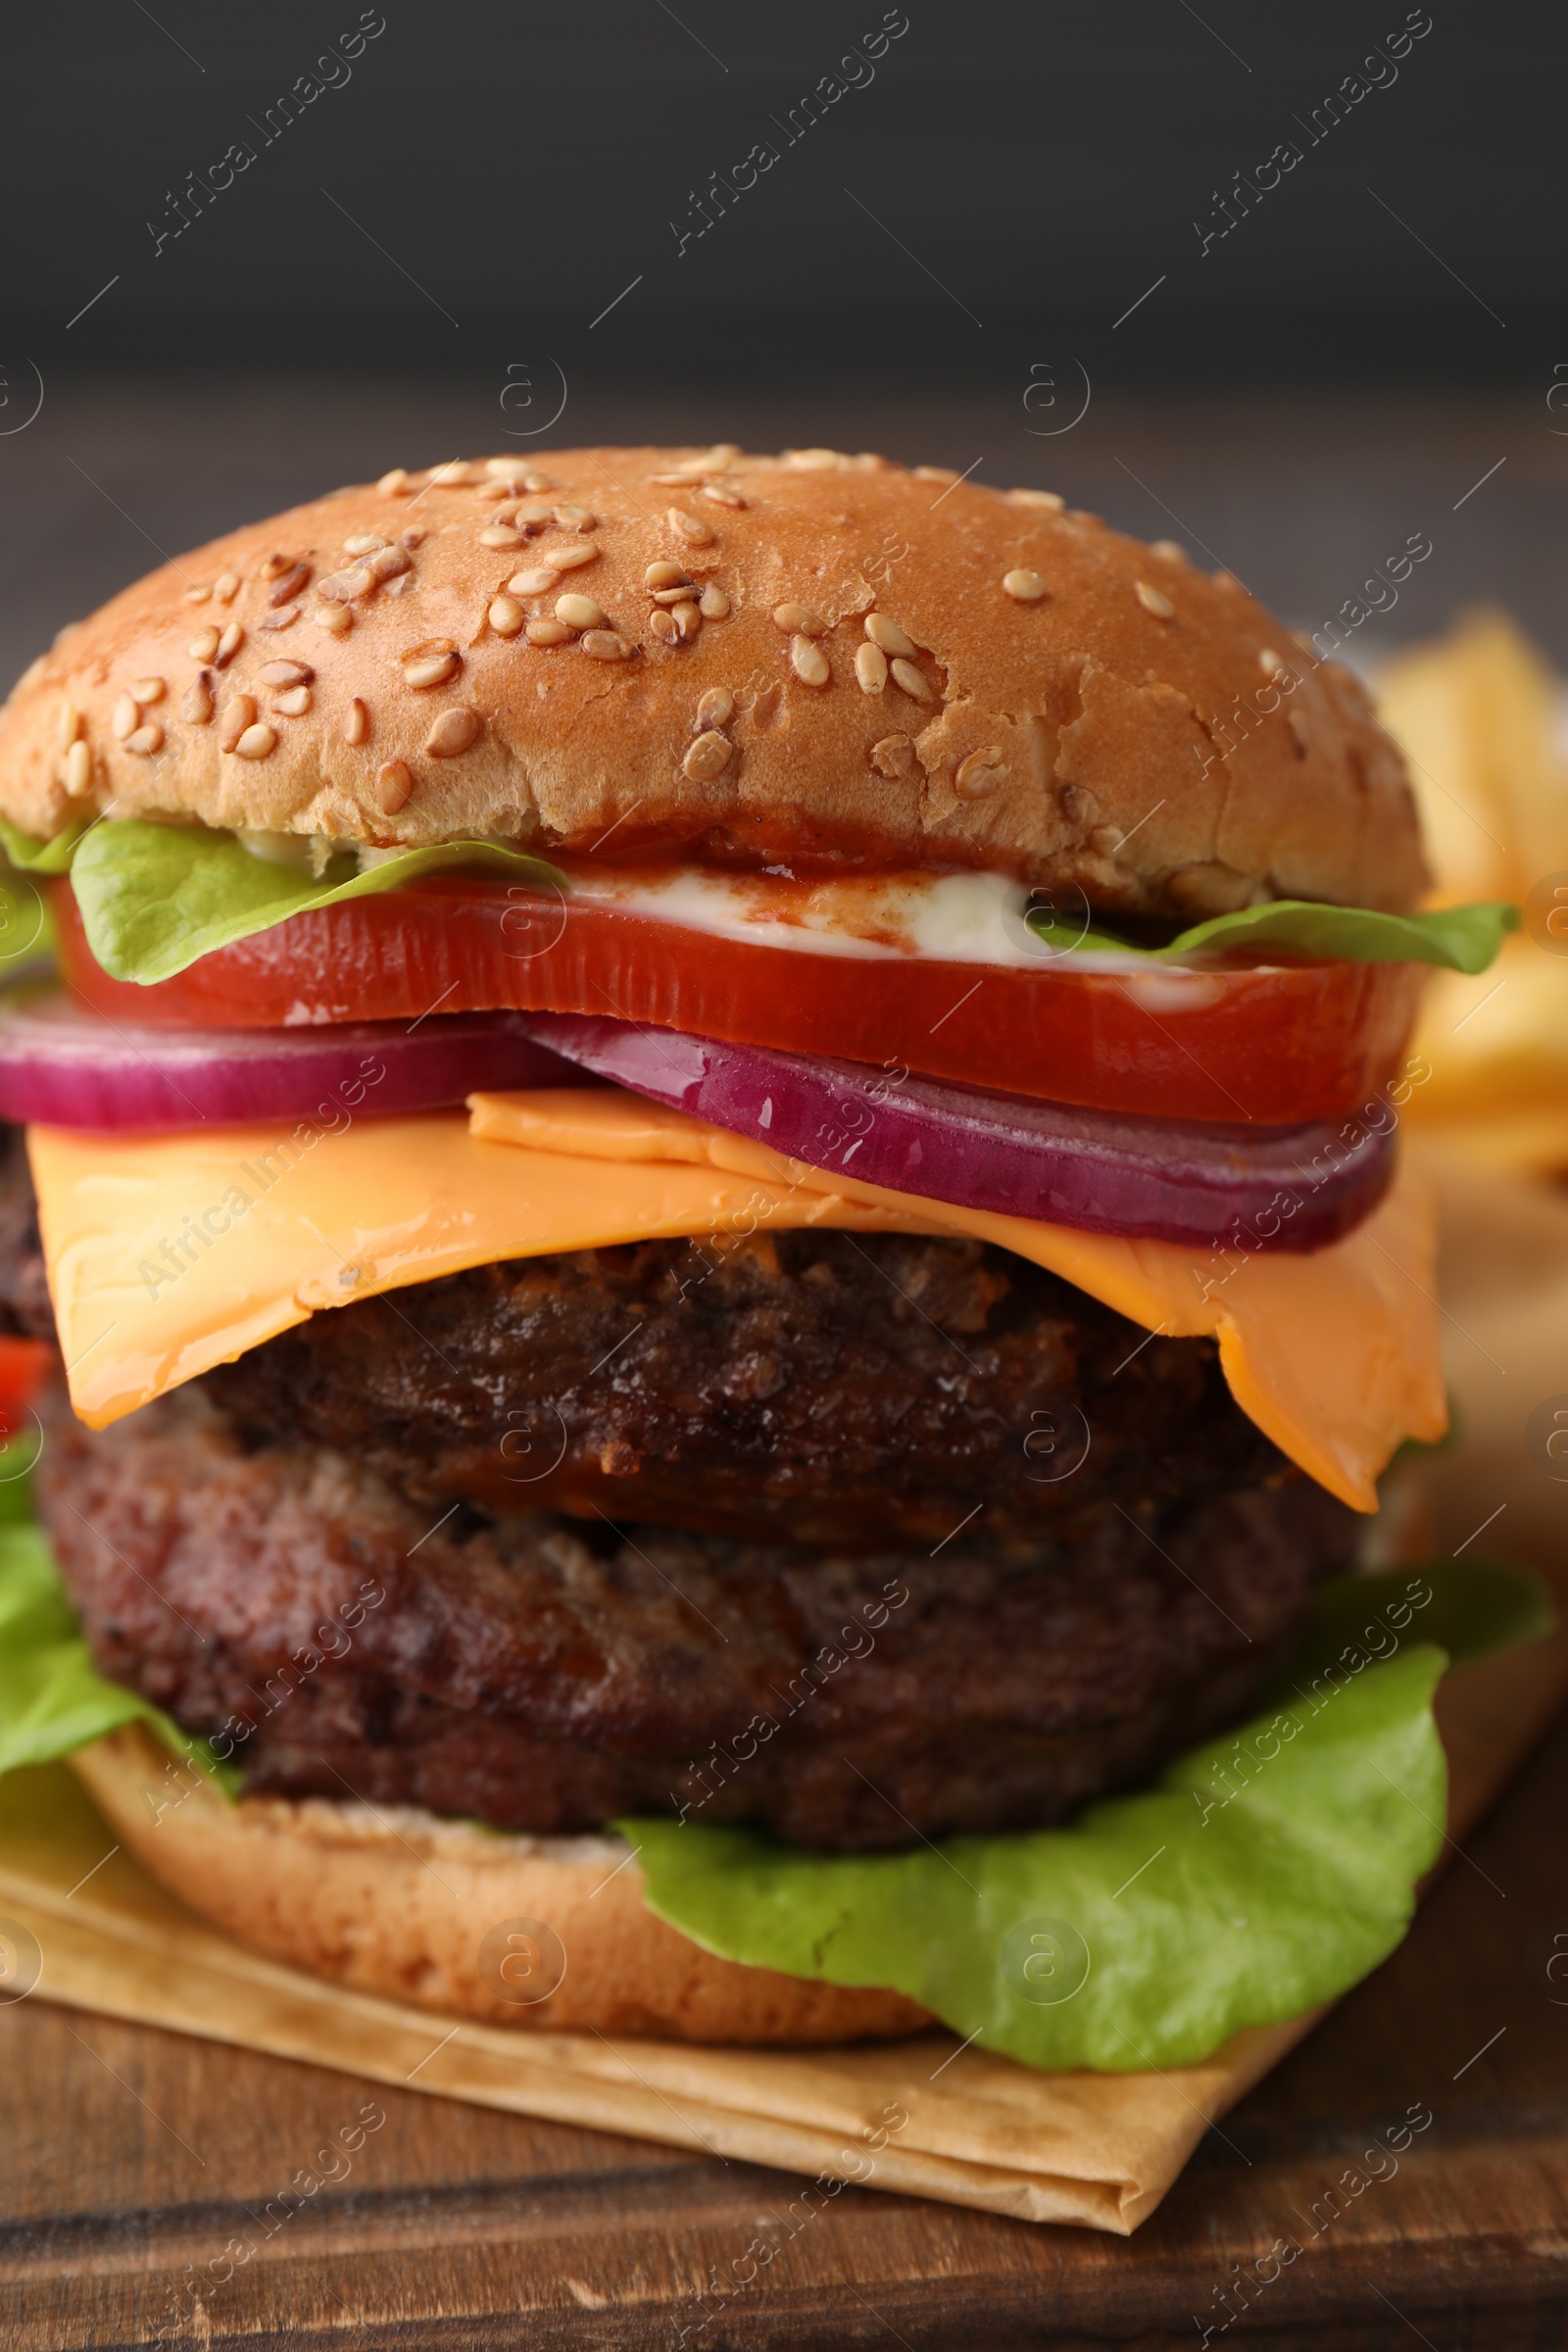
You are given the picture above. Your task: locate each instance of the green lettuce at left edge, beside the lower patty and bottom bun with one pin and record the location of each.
(53, 1697)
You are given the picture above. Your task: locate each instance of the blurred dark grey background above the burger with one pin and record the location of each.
(1280, 283)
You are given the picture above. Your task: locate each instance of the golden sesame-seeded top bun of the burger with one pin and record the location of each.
(1085, 711)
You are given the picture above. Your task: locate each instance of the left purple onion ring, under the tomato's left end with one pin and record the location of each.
(76, 1069)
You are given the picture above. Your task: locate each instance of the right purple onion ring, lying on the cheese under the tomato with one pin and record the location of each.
(1097, 1170)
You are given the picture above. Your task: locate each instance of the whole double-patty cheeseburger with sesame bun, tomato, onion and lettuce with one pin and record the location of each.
(706, 1255)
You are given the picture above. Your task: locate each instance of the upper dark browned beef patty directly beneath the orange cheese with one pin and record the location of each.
(810, 1387)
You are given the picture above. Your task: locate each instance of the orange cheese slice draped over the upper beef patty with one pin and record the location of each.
(170, 1255)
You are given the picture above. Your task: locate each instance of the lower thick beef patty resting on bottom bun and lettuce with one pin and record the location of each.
(547, 1676)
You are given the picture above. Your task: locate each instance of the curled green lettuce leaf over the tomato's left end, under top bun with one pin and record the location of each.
(159, 897)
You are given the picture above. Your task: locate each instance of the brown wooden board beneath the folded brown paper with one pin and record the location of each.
(130, 2153)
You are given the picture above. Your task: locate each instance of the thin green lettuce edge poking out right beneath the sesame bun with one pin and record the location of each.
(1459, 937)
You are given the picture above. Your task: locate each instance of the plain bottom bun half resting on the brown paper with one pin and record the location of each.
(457, 1918)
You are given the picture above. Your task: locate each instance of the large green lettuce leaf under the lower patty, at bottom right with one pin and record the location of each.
(1268, 1871)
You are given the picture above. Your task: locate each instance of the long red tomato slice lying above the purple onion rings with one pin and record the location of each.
(1280, 1043)
